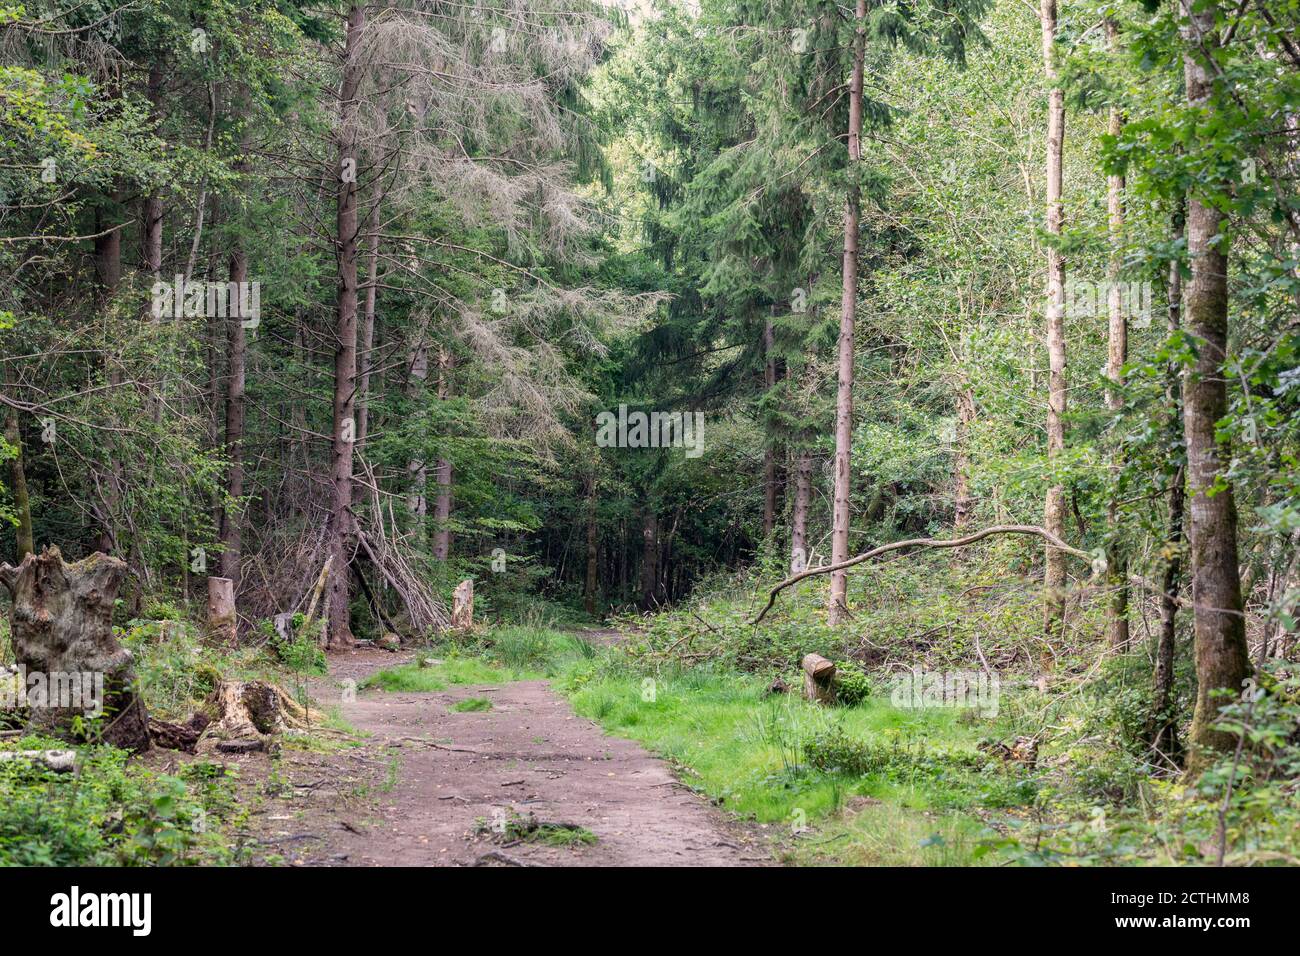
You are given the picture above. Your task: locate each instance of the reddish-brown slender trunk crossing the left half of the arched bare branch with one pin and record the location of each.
(838, 608)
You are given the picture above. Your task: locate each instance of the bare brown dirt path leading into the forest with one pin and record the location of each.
(528, 755)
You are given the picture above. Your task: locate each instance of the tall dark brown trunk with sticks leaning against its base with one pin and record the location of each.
(341, 524)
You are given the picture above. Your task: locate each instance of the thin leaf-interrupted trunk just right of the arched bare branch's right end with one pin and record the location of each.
(1117, 354)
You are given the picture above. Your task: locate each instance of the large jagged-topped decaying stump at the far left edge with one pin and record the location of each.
(63, 642)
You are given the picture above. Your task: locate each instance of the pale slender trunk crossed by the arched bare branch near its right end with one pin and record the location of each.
(1054, 509)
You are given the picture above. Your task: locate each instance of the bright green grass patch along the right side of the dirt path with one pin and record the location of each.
(751, 754)
